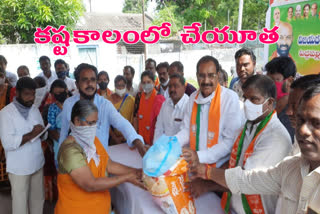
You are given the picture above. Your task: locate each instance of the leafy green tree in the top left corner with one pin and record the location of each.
(20, 18)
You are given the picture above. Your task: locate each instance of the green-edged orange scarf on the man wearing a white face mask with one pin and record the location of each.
(254, 202)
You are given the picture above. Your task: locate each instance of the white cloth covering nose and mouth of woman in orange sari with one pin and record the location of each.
(84, 135)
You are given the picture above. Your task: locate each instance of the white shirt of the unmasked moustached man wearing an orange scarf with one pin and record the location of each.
(230, 124)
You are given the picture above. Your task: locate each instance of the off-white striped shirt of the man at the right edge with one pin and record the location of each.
(290, 179)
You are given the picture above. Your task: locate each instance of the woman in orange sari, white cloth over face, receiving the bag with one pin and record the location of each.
(84, 165)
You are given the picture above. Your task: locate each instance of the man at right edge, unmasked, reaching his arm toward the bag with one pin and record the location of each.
(296, 179)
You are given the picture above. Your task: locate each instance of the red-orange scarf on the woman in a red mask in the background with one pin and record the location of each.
(144, 116)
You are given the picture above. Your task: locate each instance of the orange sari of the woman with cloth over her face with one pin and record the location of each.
(73, 199)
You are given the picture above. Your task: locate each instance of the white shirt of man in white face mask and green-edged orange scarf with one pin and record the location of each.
(275, 135)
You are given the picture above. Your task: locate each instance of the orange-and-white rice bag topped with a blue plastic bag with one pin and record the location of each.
(165, 174)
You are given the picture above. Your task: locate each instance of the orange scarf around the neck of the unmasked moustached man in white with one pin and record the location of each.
(213, 123)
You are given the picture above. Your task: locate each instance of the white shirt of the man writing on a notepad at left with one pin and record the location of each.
(25, 159)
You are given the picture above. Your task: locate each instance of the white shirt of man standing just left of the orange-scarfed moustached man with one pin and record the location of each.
(170, 118)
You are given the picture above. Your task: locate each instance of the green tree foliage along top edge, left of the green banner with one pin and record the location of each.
(212, 13)
